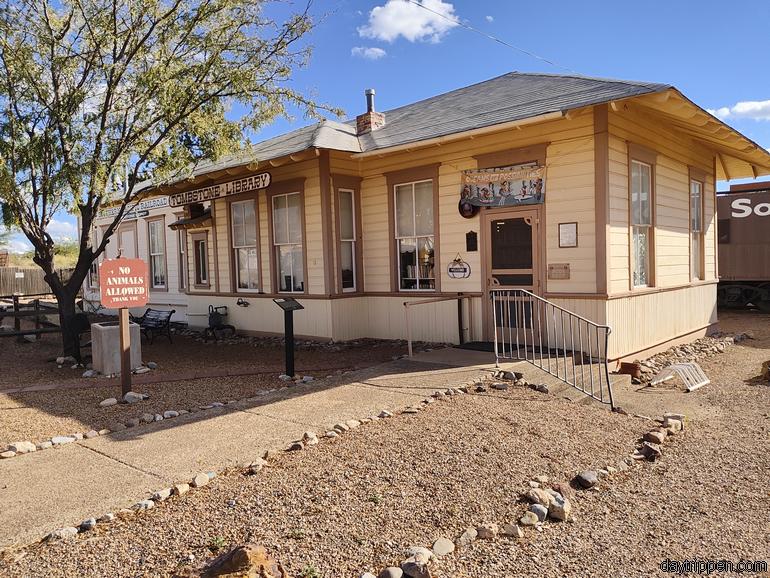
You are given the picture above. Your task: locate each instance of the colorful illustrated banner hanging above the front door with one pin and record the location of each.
(507, 186)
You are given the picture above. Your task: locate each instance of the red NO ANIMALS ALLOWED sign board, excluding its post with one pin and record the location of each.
(123, 283)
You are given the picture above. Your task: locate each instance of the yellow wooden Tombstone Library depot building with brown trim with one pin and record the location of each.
(597, 195)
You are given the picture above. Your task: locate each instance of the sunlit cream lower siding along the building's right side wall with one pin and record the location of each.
(648, 319)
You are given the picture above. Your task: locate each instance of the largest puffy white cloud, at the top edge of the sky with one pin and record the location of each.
(415, 23)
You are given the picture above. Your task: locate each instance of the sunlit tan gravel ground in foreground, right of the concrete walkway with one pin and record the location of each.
(357, 503)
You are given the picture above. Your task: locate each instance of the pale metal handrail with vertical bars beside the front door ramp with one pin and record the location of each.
(530, 328)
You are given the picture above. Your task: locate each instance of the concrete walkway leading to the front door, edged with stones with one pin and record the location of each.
(45, 490)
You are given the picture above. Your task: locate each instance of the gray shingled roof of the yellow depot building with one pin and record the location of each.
(510, 97)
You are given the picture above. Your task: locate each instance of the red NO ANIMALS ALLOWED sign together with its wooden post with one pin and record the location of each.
(123, 284)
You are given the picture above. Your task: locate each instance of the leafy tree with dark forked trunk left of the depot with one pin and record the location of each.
(98, 96)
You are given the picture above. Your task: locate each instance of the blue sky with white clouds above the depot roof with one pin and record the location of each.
(715, 53)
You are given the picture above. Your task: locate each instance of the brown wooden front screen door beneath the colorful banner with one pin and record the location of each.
(511, 254)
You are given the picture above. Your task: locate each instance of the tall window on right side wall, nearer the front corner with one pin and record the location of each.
(641, 222)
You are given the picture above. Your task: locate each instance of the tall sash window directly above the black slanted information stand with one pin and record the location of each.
(287, 242)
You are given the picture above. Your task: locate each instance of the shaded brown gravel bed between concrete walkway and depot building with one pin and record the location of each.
(38, 415)
